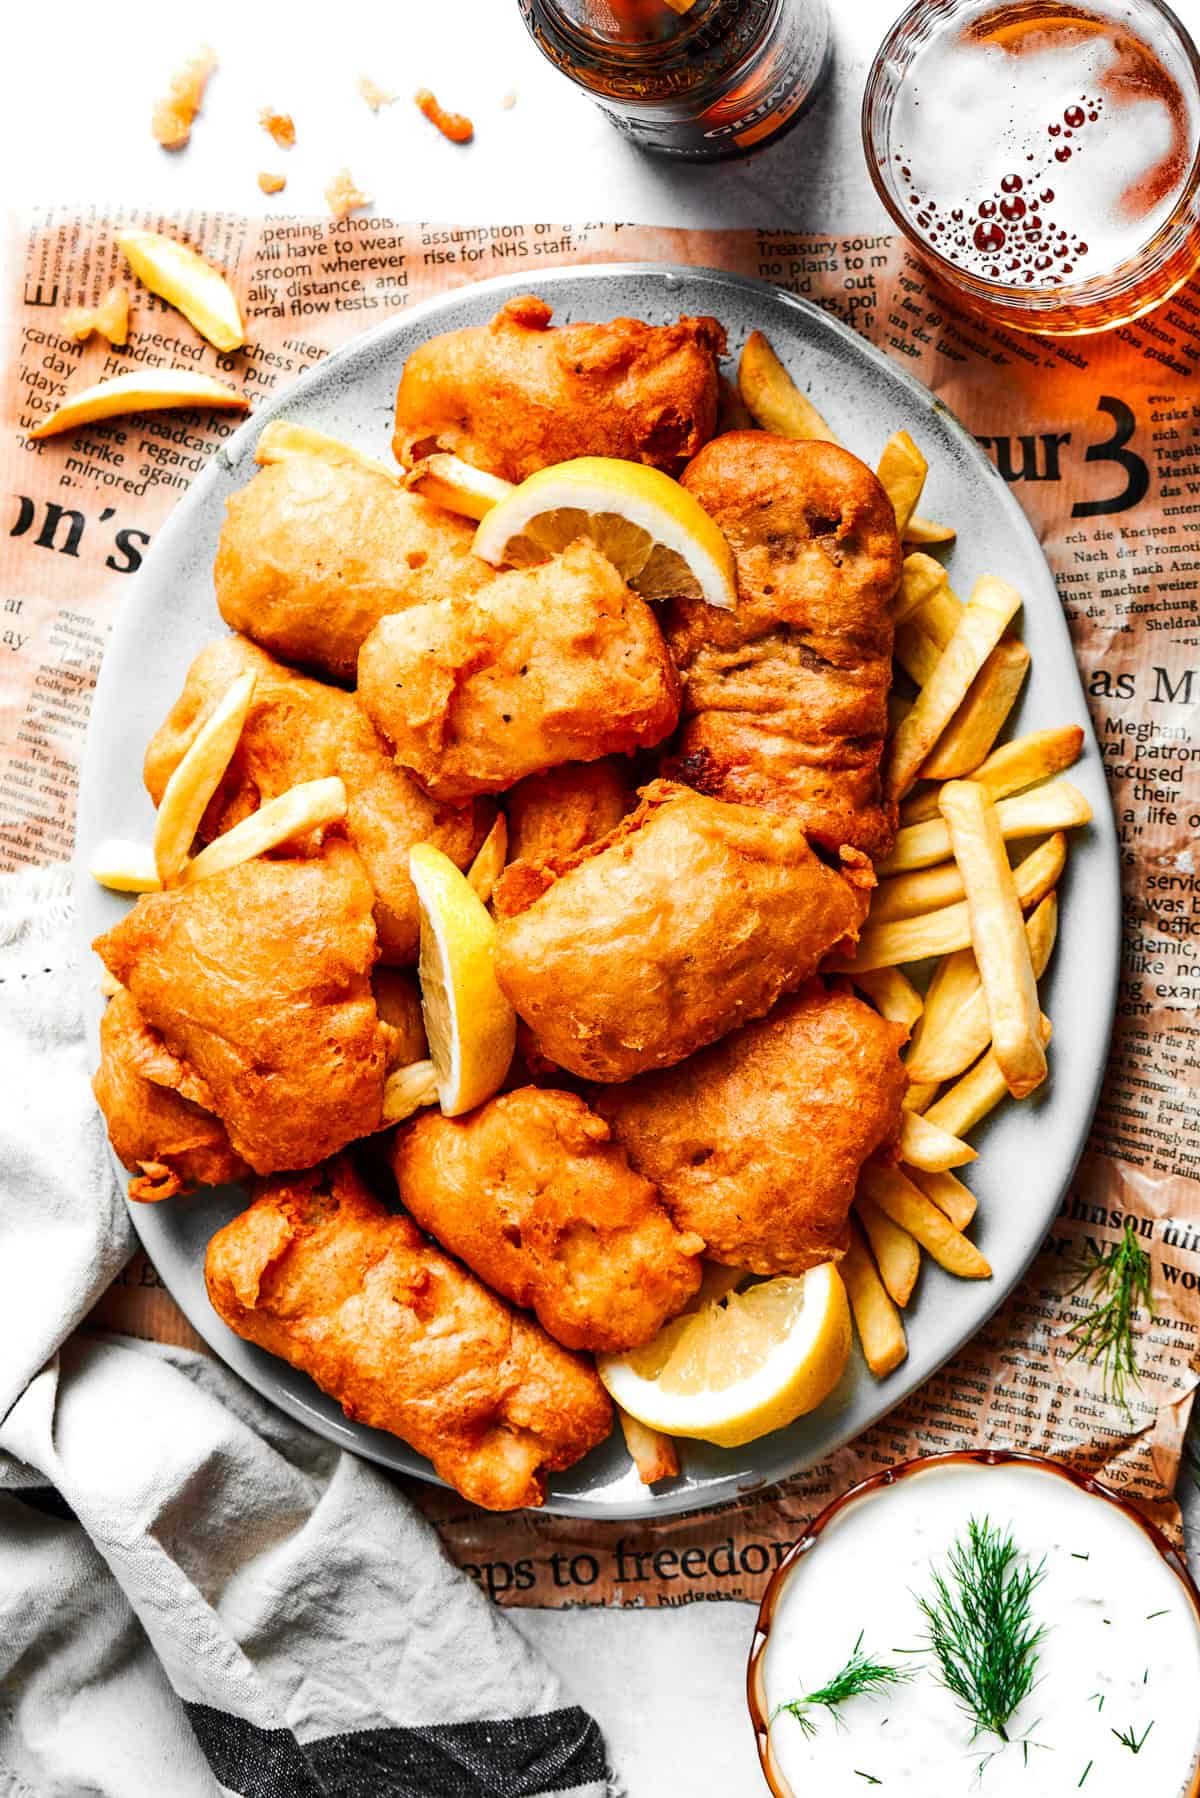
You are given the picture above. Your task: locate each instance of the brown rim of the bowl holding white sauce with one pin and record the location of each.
(877, 1482)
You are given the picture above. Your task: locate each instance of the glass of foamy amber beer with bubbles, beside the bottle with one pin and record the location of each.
(1043, 157)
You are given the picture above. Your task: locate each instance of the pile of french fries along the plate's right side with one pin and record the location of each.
(947, 891)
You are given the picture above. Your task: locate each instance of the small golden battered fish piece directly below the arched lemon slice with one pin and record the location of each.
(550, 664)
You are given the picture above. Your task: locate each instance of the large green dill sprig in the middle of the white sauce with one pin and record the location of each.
(981, 1626)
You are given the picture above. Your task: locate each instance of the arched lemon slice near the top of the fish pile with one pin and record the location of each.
(652, 530)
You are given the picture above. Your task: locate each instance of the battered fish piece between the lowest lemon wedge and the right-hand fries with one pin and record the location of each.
(758, 1141)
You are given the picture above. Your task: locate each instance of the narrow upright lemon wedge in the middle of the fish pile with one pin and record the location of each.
(470, 1024)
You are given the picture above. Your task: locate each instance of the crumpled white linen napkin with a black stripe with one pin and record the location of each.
(199, 1596)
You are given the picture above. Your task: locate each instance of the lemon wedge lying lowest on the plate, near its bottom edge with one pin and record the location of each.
(739, 1366)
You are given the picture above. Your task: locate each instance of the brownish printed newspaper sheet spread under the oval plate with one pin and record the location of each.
(1100, 440)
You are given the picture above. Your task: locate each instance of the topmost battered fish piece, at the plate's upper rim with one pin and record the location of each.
(515, 395)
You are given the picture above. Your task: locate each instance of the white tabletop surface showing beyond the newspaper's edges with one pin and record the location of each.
(76, 84)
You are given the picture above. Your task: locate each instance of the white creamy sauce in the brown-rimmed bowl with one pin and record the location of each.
(1122, 1650)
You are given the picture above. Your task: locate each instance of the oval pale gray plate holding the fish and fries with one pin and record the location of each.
(1028, 1153)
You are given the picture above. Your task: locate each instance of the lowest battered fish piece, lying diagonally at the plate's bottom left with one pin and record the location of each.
(404, 1339)
